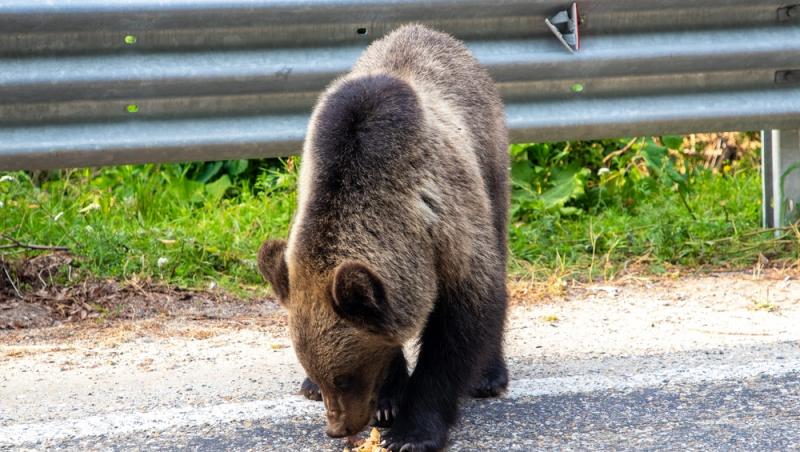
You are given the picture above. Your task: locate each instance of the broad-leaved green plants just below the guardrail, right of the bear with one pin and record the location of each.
(576, 178)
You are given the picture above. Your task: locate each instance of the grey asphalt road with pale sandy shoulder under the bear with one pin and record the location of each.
(666, 370)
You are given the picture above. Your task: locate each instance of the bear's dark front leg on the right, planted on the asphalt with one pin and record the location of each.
(462, 332)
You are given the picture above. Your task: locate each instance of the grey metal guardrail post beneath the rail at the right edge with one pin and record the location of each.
(781, 177)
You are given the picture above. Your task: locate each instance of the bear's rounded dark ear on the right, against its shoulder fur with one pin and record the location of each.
(359, 296)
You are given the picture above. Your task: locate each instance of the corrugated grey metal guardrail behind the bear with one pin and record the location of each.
(91, 82)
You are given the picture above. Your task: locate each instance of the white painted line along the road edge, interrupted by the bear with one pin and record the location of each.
(121, 423)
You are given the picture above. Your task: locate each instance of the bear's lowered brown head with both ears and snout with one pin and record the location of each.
(342, 330)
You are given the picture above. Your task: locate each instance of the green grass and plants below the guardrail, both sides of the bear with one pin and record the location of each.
(580, 211)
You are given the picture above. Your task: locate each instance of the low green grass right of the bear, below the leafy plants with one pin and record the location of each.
(657, 234)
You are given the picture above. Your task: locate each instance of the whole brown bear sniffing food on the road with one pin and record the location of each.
(400, 235)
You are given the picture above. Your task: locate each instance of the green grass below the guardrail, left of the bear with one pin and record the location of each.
(151, 221)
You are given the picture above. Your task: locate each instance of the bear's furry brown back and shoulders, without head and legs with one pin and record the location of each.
(405, 164)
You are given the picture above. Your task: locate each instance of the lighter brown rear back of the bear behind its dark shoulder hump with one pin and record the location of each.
(444, 66)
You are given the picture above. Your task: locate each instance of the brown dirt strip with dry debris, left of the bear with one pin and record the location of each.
(46, 291)
